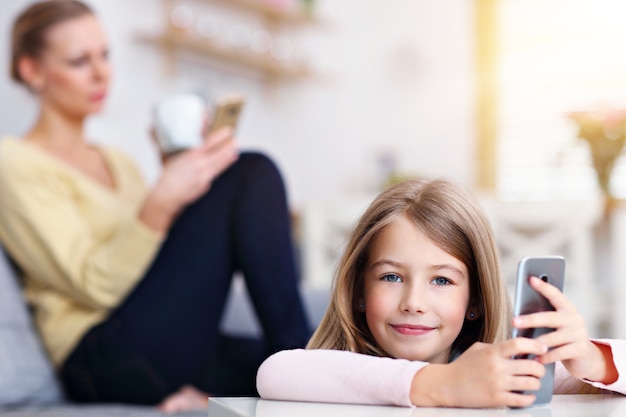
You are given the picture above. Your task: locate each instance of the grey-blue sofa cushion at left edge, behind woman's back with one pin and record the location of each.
(26, 373)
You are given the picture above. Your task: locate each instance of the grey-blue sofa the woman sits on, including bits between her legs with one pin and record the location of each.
(28, 384)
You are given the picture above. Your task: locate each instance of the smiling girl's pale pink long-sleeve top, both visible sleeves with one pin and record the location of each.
(335, 376)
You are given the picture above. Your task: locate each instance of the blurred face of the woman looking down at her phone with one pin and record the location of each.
(73, 72)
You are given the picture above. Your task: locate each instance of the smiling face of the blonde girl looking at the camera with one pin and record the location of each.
(416, 295)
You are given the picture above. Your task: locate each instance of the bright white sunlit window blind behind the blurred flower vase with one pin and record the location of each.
(555, 57)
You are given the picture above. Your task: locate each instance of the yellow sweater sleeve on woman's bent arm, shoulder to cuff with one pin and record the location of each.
(46, 233)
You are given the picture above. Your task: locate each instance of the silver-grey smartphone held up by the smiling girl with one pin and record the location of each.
(550, 269)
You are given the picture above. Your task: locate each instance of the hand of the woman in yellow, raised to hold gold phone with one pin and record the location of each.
(186, 176)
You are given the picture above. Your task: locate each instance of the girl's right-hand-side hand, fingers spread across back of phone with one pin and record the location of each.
(570, 342)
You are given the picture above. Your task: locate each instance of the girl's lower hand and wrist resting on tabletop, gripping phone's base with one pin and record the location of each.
(485, 375)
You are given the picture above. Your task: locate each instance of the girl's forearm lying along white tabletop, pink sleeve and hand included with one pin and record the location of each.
(484, 376)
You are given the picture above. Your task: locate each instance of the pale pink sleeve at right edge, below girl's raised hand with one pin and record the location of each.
(564, 383)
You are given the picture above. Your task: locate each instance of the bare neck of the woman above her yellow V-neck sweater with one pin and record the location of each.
(57, 131)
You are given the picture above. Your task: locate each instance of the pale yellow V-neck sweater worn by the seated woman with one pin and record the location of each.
(80, 245)
